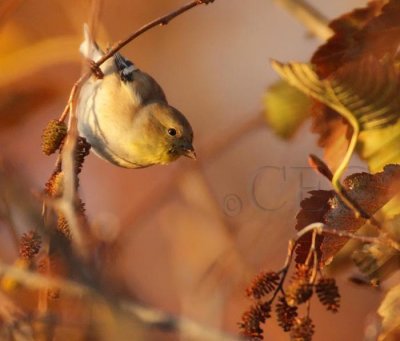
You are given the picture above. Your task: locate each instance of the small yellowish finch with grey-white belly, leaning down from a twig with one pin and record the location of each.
(125, 115)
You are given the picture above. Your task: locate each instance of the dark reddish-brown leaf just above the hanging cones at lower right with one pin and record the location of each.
(370, 191)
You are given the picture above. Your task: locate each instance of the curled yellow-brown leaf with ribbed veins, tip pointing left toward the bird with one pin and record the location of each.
(364, 92)
